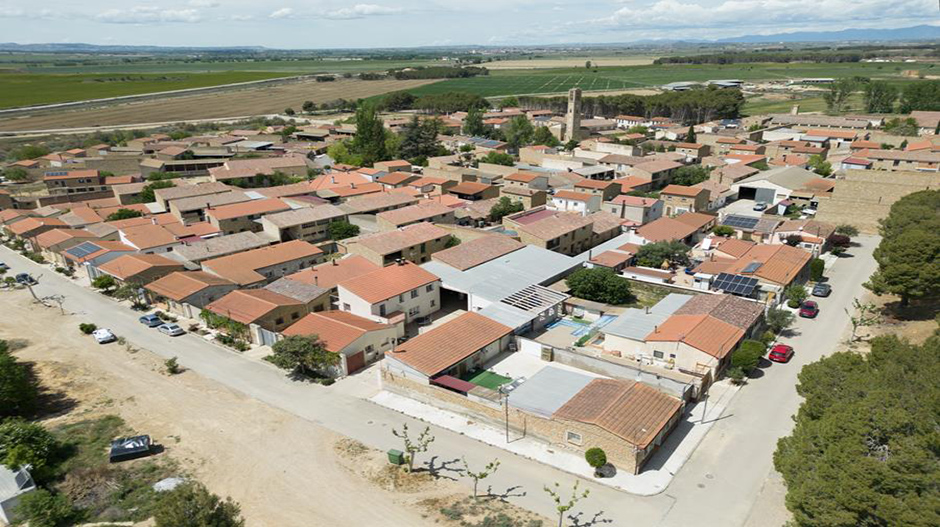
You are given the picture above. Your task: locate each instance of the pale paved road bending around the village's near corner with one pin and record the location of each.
(717, 487)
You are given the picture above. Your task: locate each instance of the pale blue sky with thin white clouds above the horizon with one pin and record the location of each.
(319, 24)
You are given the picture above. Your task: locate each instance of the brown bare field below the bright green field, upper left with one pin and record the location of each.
(243, 102)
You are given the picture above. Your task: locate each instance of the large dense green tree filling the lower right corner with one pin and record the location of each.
(862, 451)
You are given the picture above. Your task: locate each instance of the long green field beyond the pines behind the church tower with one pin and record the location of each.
(517, 82)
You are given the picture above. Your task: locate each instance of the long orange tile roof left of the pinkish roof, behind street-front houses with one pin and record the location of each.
(241, 268)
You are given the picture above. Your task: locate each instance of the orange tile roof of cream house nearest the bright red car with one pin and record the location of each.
(703, 332)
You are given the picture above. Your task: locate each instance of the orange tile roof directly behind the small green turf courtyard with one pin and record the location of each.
(441, 348)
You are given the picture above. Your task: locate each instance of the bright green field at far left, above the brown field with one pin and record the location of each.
(26, 89)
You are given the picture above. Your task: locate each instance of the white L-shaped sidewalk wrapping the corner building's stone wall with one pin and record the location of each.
(655, 477)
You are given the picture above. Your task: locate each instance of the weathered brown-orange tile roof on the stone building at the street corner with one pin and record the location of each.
(631, 411)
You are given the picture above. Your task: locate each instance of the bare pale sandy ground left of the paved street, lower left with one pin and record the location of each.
(280, 468)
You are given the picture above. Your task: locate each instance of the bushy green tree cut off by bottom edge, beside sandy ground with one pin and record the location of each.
(192, 505)
